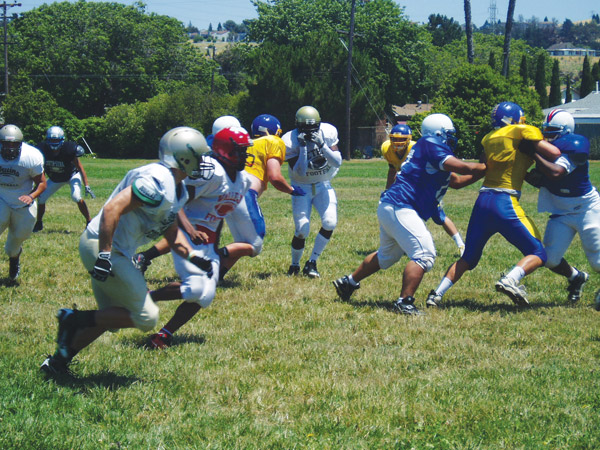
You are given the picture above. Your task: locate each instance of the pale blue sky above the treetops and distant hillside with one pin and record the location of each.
(203, 12)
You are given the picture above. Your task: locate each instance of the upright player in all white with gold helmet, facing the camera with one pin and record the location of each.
(314, 159)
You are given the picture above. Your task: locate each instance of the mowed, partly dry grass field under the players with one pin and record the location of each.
(279, 362)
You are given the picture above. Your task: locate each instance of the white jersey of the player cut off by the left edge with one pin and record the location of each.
(16, 176)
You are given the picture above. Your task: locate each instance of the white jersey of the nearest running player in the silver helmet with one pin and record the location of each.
(154, 185)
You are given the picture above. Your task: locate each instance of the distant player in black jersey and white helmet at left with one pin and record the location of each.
(62, 166)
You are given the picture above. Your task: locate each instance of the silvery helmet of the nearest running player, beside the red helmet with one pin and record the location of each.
(185, 148)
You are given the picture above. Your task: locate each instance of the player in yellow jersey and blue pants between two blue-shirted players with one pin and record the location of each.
(508, 153)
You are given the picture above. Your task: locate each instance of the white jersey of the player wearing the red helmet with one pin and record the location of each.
(215, 198)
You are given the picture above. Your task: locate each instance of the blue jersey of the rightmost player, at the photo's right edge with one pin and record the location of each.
(577, 182)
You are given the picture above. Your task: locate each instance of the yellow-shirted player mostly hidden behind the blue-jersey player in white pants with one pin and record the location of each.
(395, 150)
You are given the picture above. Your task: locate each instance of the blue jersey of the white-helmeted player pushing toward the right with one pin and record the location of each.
(422, 181)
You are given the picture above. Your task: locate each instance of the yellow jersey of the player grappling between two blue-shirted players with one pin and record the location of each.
(506, 165)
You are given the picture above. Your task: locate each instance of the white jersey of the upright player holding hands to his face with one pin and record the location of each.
(318, 168)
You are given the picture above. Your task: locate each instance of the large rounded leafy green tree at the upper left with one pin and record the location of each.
(104, 54)
